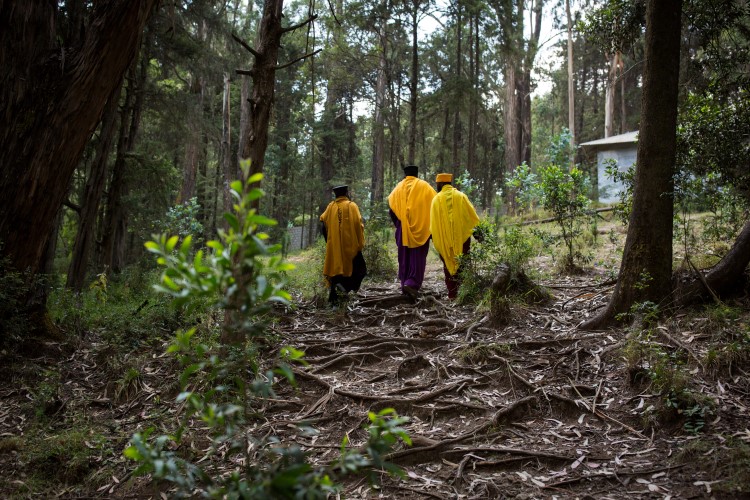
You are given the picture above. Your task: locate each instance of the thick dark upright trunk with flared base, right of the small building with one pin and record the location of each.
(646, 269)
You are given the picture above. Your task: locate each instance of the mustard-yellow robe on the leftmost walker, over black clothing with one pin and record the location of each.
(345, 236)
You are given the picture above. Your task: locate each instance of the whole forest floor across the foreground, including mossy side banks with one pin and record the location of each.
(533, 409)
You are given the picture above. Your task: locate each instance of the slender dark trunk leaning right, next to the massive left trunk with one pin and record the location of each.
(92, 198)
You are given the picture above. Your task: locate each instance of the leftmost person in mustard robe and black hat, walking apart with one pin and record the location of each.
(344, 267)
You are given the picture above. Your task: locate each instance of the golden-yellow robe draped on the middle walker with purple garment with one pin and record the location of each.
(410, 200)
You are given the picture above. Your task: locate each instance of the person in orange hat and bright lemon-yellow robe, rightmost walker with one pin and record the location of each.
(452, 222)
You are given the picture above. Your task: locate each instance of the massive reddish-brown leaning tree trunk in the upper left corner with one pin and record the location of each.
(51, 106)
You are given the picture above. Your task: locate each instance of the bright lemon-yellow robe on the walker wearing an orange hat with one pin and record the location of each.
(452, 220)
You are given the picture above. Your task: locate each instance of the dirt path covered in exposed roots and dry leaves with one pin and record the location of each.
(533, 410)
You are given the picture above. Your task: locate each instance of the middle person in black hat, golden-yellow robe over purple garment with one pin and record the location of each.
(409, 207)
